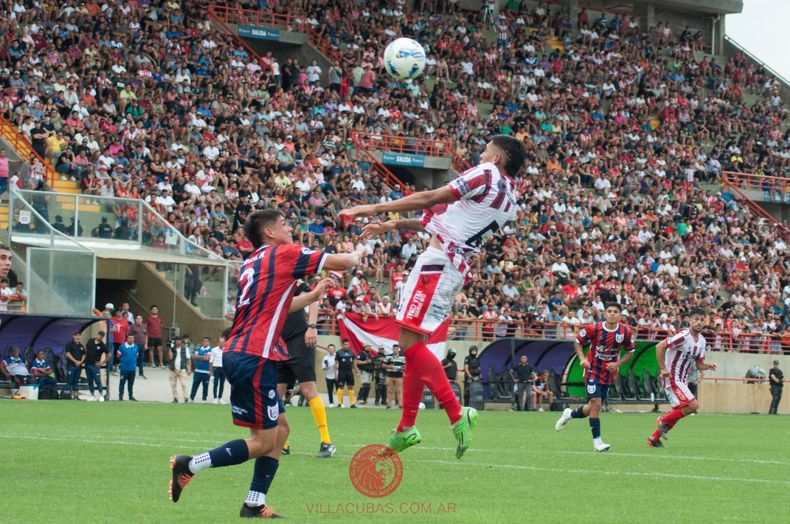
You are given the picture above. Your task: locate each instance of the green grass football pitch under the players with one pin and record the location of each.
(81, 462)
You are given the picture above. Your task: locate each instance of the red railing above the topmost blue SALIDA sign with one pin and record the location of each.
(295, 23)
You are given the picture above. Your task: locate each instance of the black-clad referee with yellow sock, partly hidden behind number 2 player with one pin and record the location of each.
(300, 335)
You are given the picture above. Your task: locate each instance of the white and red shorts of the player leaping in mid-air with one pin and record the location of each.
(429, 293)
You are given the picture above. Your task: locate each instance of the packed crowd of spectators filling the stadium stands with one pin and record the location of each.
(624, 124)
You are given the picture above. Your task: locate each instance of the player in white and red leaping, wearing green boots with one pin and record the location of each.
(460, 216)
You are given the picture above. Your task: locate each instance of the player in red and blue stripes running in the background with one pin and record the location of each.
(606, 341)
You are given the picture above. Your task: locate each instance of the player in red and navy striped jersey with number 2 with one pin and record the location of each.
(266, 294)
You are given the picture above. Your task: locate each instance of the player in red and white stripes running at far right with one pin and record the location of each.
(675, 356)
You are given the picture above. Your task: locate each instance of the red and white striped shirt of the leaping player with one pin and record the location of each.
(486, 201)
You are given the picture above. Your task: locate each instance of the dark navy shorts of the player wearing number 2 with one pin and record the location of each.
(254, 401)
